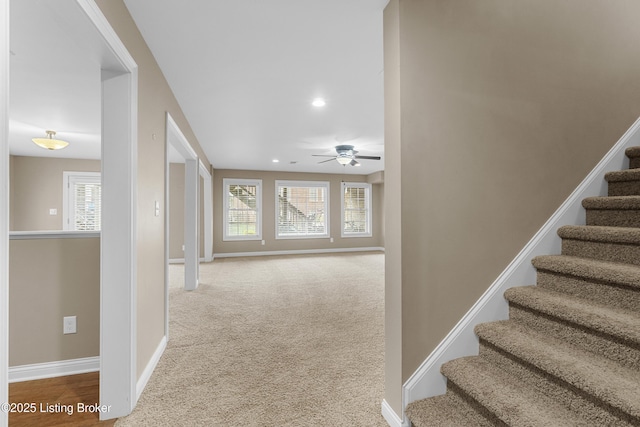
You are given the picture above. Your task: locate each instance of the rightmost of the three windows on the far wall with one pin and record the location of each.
(356, 209)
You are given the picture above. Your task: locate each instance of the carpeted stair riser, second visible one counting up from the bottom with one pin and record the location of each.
(588, 405)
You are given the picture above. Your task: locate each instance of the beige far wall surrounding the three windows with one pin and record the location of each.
(268, 214)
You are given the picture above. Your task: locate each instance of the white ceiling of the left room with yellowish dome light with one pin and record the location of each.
(54, 81)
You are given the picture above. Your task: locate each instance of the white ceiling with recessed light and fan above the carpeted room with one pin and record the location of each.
(245, 73)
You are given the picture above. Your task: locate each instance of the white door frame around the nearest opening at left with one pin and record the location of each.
(118, 274)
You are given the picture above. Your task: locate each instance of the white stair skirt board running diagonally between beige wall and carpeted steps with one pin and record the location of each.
(427, 381)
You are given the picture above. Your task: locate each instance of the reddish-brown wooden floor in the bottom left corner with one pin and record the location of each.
(50, 402)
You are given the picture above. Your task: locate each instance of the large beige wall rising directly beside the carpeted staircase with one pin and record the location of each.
(504, 108)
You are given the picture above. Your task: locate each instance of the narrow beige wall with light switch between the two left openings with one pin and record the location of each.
(154, 100)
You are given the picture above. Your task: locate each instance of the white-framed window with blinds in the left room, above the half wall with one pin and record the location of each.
(82, 197)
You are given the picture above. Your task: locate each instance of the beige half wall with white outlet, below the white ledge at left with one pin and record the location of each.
(50, 279)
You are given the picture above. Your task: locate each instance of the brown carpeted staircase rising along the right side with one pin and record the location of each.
(569, 355)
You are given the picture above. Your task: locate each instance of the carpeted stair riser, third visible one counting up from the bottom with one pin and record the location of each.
(627, 354)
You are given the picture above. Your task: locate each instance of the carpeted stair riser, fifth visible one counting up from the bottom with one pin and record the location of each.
(615, 252)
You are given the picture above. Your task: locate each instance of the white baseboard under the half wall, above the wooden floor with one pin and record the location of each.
(60, 368)
